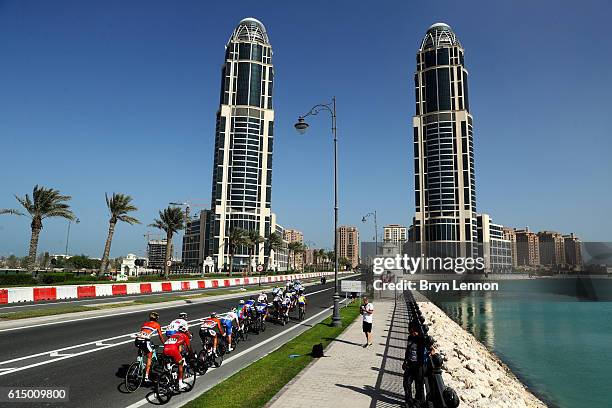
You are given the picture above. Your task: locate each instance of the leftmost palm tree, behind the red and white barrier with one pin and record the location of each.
(44, 203)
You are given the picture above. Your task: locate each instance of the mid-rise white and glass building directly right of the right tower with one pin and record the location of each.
(492, 246)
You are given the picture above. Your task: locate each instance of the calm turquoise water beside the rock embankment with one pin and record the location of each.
(559, 347)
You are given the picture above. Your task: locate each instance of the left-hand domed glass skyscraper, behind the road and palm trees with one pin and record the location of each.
(242, 172)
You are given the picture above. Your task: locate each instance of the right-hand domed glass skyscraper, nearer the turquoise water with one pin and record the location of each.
(445, 191)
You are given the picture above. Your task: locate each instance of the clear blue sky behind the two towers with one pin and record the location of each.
(121, 96)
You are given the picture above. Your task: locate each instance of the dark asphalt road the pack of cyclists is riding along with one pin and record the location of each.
(90, 356)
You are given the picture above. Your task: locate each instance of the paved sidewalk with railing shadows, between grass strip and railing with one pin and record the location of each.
(350, 375)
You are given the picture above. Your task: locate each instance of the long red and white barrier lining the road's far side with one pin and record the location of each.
(39, 293)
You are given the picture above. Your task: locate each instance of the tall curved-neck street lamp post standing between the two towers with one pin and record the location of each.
(301, 127)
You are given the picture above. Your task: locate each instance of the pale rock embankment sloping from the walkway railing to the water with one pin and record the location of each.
(479, 377)
